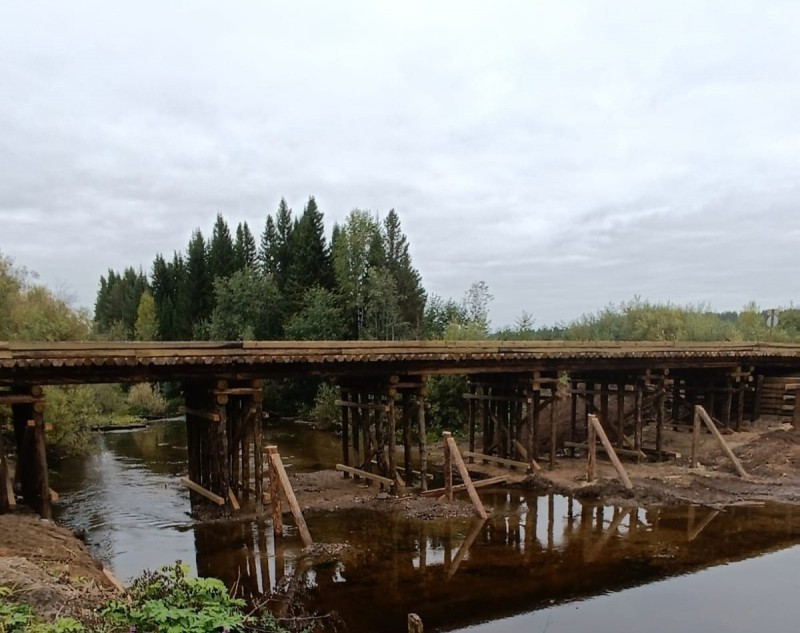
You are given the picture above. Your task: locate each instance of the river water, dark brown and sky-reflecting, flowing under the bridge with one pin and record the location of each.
(541, 563)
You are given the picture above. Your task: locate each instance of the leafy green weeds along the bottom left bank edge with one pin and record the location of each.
(164, 601)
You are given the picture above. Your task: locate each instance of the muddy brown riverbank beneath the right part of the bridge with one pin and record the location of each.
(768, 451)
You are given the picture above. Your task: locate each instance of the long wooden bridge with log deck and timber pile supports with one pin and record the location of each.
(383, 386)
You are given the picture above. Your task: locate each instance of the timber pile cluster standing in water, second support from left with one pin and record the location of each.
(223, 425)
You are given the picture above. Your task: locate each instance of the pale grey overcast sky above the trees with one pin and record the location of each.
(570, 154)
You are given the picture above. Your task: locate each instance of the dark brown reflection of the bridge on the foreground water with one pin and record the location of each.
(534, 551)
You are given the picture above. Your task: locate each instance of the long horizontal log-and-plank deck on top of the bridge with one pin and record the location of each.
(69, 362)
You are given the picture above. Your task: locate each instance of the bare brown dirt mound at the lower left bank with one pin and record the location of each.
(47, 567)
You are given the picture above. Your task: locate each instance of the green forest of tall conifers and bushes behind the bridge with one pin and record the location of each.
(292, 283)
